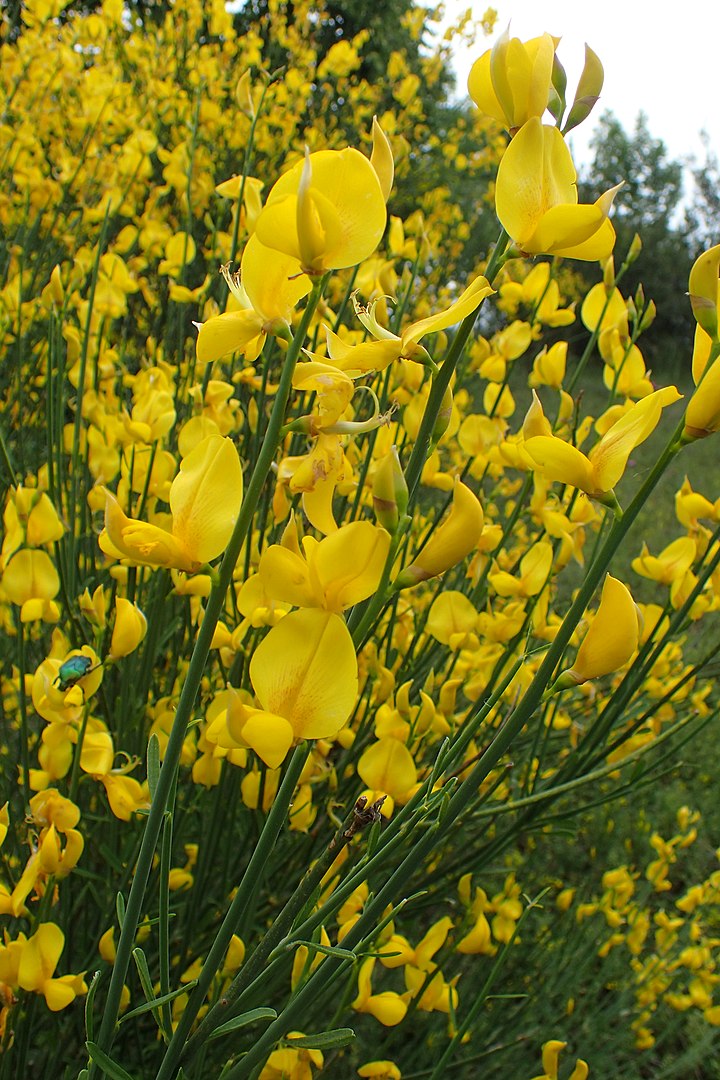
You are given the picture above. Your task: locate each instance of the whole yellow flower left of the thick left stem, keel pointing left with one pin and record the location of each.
(205, 499)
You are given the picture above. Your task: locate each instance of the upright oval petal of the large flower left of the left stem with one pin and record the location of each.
(206, 498)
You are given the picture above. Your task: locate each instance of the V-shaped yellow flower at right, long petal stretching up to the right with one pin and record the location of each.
(599, 472)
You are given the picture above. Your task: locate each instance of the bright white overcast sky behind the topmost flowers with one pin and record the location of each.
(658, 57)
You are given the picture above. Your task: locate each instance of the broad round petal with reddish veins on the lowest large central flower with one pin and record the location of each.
(306, 671)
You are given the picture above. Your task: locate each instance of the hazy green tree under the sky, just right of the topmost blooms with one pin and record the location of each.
(649, 204)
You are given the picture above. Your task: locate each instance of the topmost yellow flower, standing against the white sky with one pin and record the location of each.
(512, 82)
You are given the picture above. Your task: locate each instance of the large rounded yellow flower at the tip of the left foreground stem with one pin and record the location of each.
(329, 212)
